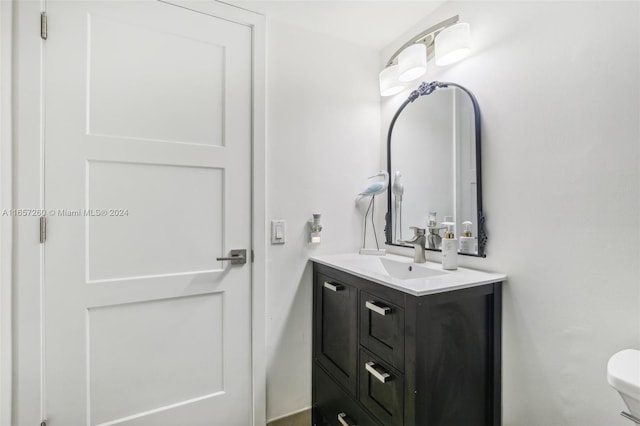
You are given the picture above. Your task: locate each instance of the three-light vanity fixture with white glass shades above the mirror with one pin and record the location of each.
(448, 41)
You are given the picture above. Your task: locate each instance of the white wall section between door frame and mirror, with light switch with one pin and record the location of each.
(323, 123)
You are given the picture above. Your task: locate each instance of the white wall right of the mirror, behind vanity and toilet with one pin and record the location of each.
(558, 85)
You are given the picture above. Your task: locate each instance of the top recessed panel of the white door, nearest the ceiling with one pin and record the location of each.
(120, 81)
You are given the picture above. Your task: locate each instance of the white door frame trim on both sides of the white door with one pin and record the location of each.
(21, 184)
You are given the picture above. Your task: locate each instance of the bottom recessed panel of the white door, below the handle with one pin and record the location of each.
(187, 366)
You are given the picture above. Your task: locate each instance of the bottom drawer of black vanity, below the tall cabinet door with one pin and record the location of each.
(333, 406)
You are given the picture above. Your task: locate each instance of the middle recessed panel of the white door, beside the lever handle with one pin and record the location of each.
(153, 220)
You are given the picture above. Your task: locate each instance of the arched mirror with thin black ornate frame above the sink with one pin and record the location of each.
(433, 161)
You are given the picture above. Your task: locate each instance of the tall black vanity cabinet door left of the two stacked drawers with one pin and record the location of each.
(335, 337)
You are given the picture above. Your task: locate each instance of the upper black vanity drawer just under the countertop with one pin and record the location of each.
(382, 329)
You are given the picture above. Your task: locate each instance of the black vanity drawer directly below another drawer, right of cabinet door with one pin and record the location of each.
(381, 390)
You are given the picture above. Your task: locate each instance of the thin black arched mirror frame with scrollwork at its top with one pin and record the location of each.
(426, 89)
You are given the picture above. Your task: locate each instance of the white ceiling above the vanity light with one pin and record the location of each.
(372, 24)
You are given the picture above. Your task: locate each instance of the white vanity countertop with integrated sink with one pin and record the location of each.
(398, 272)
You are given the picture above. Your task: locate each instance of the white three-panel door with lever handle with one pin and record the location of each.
(147, 182)
